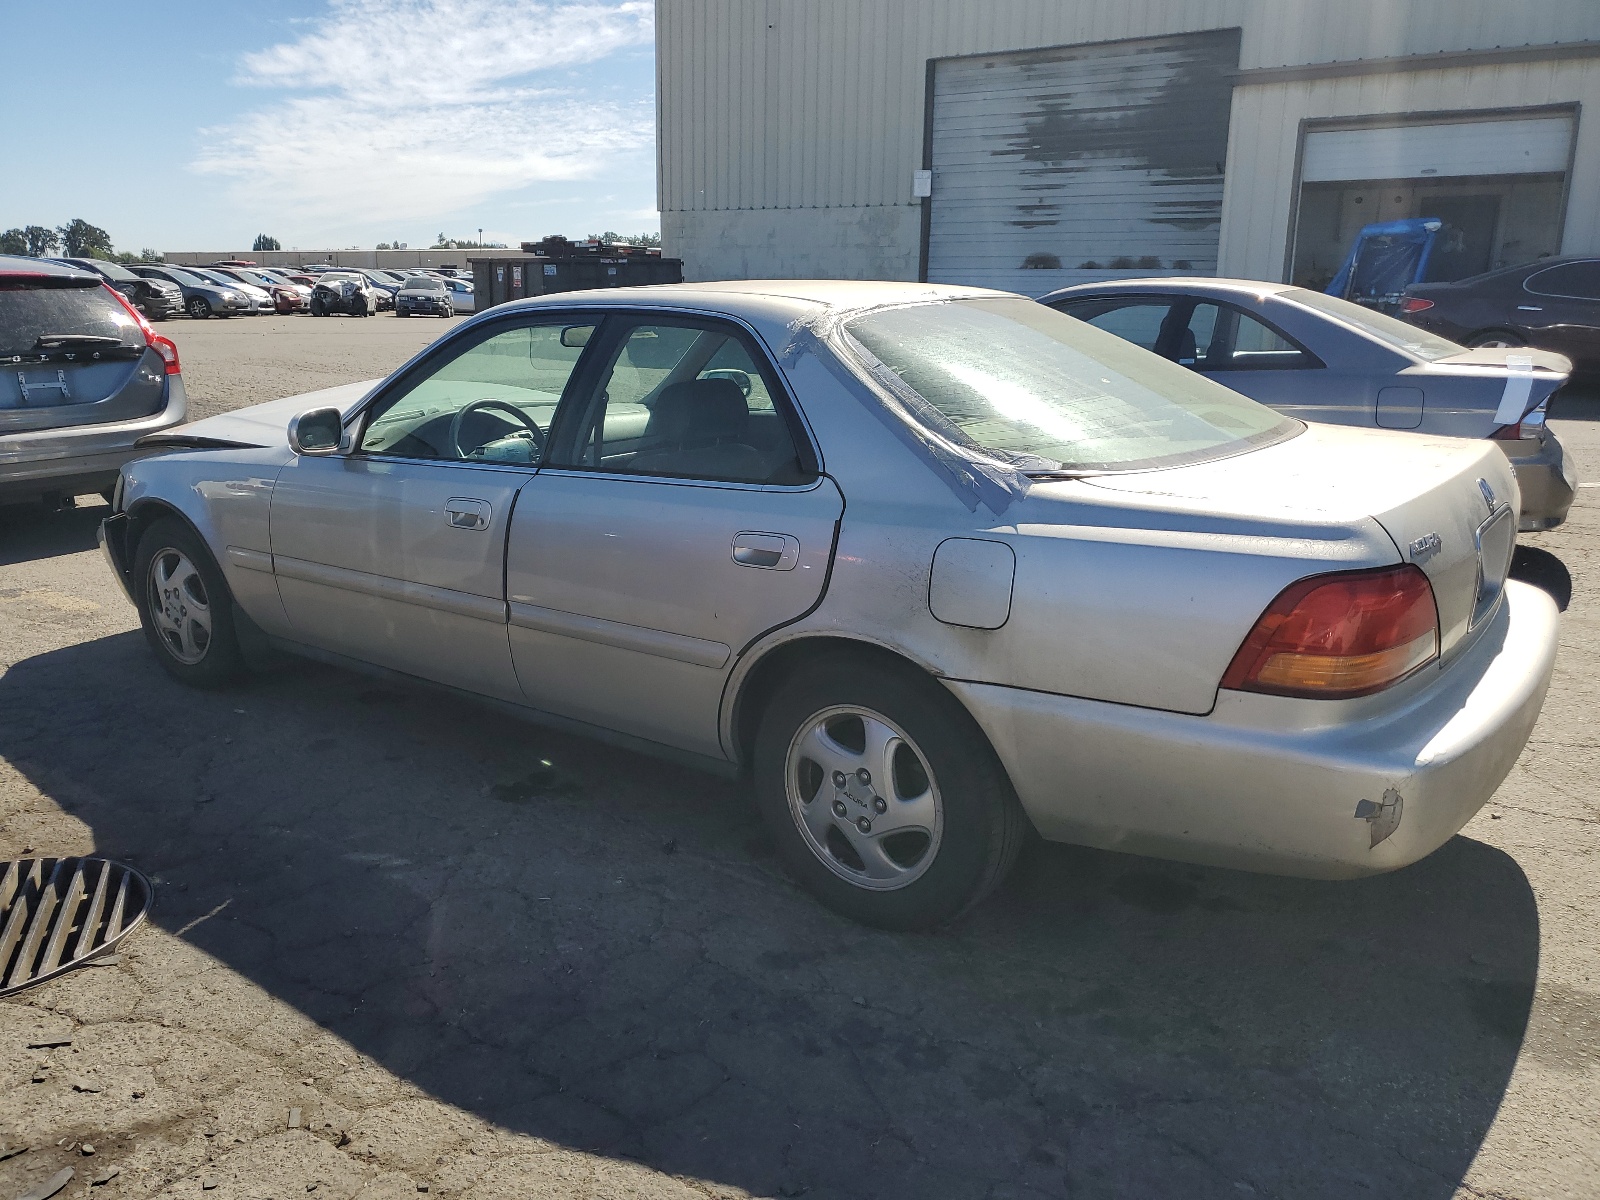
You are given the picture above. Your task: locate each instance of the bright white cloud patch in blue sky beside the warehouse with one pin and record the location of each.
(417, 108)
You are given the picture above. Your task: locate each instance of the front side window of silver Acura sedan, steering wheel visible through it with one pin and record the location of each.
(490, 402)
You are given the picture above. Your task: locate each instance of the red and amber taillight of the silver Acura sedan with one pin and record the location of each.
(1345, 634)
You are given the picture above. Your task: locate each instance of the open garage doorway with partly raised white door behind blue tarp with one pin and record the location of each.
(1498, 185)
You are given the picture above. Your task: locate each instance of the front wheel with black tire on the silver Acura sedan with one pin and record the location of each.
(180, 601)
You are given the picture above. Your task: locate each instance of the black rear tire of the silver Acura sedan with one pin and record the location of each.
(982, 826)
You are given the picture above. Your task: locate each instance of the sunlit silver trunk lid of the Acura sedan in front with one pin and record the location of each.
(1449, 505)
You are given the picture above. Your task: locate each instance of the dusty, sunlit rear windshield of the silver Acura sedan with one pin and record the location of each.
(1047, 393)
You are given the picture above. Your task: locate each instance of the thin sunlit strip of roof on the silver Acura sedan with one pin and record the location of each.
(735, 295)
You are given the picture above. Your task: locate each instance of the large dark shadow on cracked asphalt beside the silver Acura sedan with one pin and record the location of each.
(601, 950)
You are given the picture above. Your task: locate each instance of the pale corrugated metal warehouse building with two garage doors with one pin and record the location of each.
(1036, 143)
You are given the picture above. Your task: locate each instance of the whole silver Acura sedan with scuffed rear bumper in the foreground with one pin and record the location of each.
(934, 567)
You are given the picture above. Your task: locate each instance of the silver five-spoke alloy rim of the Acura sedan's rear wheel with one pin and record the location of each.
(863, 798)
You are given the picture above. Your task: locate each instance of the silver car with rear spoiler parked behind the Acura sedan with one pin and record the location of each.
(1326, 359)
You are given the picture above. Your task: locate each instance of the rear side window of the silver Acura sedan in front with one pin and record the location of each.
(687, 401)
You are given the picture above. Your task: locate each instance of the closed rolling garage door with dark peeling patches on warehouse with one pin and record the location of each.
(1055, 167)
